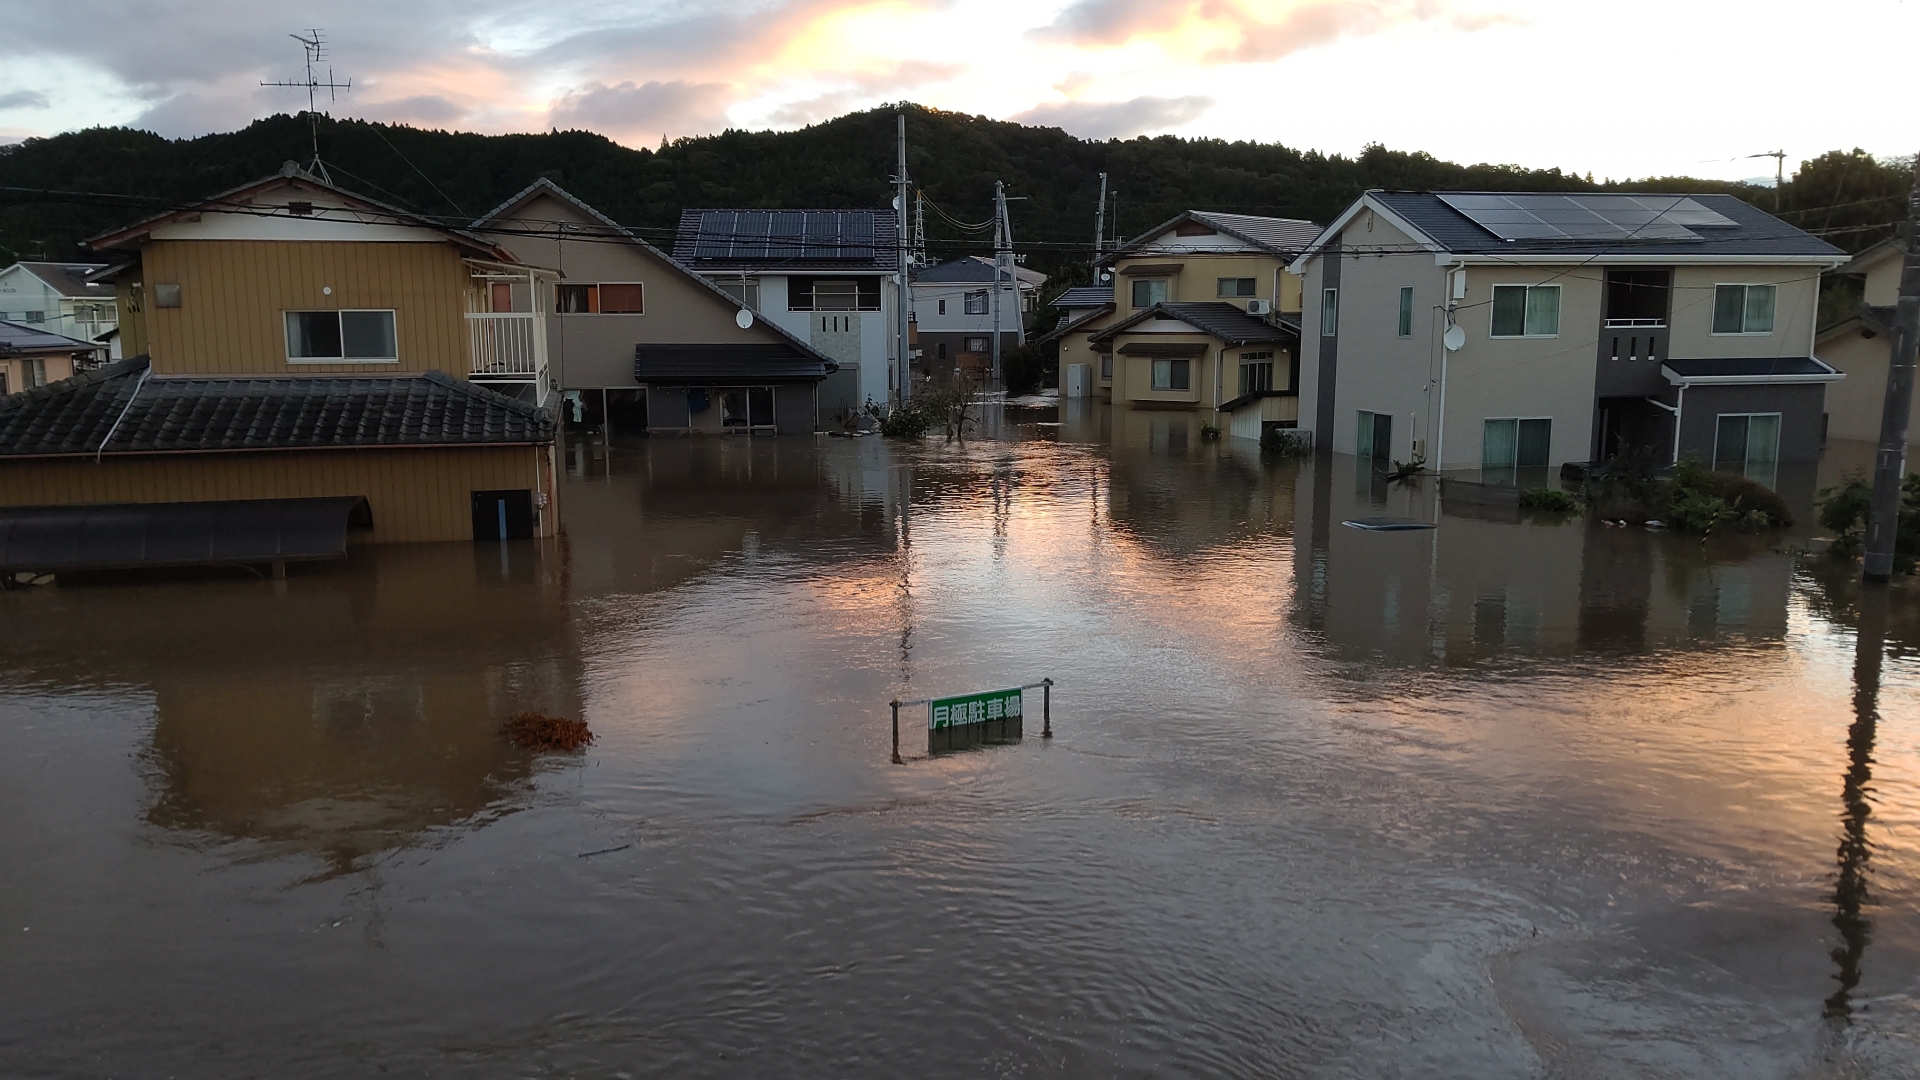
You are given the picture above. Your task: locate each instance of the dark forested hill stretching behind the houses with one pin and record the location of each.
(846, 162)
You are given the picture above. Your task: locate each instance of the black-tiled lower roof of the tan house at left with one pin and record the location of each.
(174, 414)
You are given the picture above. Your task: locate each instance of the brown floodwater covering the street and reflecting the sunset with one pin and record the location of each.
(1502, 798)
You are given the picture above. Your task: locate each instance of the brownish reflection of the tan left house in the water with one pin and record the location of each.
(343, 712)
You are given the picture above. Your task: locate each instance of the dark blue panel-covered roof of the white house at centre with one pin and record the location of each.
(850, 241)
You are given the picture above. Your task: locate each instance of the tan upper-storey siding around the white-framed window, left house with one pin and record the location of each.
(233, 297)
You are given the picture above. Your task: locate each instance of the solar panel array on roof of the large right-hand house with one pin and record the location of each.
(1589, 216)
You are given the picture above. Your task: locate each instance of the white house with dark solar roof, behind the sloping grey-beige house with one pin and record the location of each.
(828, 278)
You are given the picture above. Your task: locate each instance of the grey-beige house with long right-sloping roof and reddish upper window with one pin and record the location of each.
(636, 341)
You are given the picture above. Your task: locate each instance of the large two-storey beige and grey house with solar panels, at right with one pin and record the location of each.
(1508, 331)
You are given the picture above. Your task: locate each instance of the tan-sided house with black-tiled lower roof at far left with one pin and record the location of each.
(304, 366)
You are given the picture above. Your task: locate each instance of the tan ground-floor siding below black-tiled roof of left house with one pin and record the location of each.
(416, 495)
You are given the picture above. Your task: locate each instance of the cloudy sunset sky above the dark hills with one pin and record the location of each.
(1620, 89)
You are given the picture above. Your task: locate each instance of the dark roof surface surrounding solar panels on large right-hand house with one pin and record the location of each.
(1754, 232)
